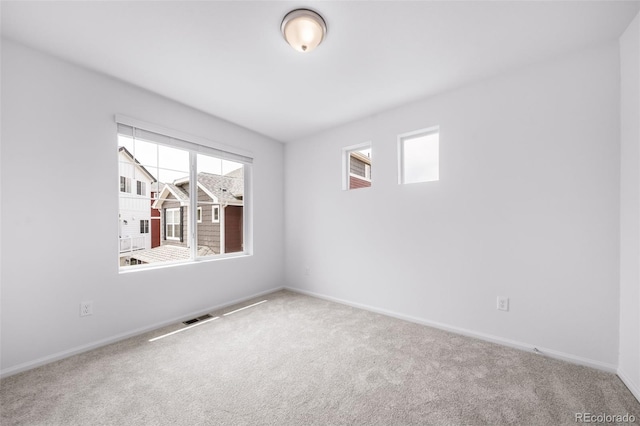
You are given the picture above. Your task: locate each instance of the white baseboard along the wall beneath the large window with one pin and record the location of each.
(103, 342)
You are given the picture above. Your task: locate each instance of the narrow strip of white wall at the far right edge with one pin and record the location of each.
(629, 361)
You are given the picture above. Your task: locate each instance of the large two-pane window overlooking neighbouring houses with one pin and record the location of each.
(190, 183)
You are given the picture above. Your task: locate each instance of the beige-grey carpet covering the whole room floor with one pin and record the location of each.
(297, 360)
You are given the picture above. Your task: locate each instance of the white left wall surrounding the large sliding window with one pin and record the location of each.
(59, 232)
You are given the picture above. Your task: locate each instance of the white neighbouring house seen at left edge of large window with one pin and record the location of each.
(135, 213)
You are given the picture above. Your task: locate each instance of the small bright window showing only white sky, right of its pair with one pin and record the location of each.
(418, 154)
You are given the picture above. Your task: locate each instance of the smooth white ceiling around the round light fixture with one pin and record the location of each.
(230, 60)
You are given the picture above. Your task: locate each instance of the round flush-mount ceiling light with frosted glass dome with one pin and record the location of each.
(303, 29)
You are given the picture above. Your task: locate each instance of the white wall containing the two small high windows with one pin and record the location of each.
(527, 207)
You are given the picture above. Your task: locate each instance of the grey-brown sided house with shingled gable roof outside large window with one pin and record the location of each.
(219, 218)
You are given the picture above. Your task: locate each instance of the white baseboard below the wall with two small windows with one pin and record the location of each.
(470, 333)
